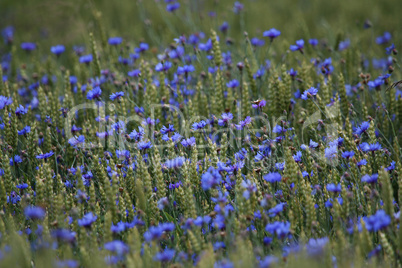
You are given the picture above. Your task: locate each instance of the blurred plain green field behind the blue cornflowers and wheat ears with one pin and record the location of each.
(68, 22)
